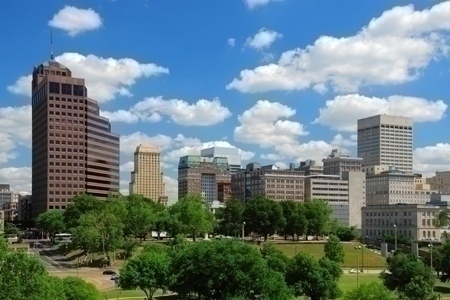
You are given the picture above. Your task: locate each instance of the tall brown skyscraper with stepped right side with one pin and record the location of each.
(74, 150)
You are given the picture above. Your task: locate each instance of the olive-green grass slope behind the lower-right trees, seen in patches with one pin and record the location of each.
(371, 259)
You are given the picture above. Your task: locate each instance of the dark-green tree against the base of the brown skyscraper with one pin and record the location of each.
(80, 205)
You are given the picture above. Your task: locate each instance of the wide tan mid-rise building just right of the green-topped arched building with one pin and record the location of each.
(268, 181)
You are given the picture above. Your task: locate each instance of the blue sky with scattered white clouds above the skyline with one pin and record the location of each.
(282, 80)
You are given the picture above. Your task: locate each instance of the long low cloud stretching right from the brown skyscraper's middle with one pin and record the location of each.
(202, 113)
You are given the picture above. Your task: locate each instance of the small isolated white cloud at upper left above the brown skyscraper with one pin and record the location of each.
(75, 20)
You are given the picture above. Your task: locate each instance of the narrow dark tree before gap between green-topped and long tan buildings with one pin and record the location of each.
(230, 217)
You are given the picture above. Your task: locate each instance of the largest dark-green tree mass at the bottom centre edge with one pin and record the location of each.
(224, 269)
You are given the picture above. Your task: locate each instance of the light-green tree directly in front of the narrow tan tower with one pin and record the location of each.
(140, 216)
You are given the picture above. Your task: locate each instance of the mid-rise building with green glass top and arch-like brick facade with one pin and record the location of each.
(203, 175)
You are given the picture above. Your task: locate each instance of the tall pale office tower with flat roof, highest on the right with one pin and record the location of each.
(386, 140)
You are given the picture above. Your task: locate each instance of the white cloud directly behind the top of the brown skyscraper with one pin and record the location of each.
(106, 78)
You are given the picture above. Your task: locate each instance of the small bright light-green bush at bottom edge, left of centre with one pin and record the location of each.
(78, 289)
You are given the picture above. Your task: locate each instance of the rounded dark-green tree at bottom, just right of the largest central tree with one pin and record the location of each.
(307, 277)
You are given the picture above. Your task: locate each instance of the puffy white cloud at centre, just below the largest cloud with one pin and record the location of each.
(262, 124)
